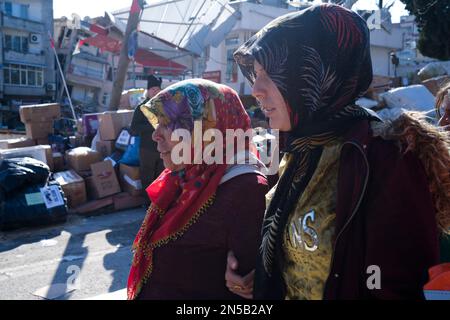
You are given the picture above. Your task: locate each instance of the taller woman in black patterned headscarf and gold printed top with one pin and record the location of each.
(351, 216)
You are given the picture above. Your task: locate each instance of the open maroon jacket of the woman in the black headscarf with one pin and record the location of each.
(385, 218)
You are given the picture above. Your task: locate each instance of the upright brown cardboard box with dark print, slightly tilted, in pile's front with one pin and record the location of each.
(104, 181)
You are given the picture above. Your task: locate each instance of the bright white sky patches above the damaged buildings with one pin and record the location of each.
(95, 8)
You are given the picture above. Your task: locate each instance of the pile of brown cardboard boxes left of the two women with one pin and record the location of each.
(92, 179)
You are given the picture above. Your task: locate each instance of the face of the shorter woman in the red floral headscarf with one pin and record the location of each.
(162, 136)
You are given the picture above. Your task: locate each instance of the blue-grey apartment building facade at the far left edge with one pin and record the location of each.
(27, 59)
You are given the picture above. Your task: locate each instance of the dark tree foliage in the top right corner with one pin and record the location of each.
(433, 21)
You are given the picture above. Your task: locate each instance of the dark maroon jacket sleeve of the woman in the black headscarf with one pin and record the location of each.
(400, 226)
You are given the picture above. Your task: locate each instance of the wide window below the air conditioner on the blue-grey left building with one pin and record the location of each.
(22, 75)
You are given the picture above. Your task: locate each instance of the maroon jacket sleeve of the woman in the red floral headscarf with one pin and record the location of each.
(245, 224)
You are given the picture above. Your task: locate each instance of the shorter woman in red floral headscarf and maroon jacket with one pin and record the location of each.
(198, 212)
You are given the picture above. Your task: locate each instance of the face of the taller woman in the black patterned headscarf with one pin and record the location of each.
(271, 101)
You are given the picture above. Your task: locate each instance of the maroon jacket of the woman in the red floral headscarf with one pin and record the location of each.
(193, 266)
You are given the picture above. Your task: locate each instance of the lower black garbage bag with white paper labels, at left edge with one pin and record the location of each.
(38, 205)
